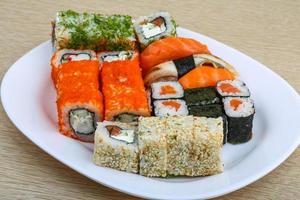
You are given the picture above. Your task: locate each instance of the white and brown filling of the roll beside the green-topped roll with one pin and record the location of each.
(154, 27)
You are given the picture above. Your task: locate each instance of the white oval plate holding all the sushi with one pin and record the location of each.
(29, 98)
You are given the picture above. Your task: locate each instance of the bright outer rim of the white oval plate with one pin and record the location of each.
(233, 187)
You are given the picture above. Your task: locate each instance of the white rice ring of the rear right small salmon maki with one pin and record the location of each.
(240, 85)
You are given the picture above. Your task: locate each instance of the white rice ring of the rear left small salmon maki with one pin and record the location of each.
(156, 88)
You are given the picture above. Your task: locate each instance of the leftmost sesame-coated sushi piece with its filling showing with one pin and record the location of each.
(116, 146)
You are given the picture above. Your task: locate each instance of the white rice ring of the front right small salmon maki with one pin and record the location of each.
(245, 109)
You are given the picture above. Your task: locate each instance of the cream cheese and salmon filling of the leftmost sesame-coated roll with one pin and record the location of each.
(124, 135)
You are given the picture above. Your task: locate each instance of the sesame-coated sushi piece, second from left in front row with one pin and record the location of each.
(152, 146)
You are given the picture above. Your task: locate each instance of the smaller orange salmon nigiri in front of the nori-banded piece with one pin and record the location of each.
(205, 76)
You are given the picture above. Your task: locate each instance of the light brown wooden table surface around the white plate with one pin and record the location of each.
(268, 31)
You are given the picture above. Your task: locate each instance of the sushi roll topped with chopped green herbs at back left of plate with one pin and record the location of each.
(94, 31)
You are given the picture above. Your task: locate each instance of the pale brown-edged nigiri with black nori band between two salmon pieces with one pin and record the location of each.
(175, 69)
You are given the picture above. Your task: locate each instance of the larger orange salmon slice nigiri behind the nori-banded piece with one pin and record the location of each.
(169, 48)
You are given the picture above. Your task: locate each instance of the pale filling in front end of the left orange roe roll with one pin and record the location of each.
(82, 121)
